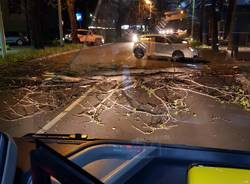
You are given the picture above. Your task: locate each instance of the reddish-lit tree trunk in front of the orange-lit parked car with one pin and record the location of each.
(73, 24)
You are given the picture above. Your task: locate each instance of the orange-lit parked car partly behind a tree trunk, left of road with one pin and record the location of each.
(86, 36)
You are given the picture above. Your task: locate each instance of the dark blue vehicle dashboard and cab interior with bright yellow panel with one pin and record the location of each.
(107, 161)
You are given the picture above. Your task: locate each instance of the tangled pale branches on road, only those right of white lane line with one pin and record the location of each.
(180, 88)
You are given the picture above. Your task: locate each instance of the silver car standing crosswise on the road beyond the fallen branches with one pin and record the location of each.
(163, 45)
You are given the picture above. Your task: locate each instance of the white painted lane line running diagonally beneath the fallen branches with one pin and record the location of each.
(54, 121)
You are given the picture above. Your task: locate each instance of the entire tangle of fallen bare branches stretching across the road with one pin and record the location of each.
(129, 95)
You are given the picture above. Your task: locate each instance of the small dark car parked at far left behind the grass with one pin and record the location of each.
(16, 38)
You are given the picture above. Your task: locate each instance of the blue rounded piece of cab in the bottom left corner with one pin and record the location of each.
(8, 158)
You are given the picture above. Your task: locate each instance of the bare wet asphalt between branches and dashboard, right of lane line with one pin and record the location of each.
(213, 125)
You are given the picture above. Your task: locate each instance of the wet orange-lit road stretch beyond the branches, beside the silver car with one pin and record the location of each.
(115, 56)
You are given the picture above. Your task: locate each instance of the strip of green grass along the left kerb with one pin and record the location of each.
(29, 53)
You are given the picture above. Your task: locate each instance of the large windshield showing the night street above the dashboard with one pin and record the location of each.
(127, 80)
